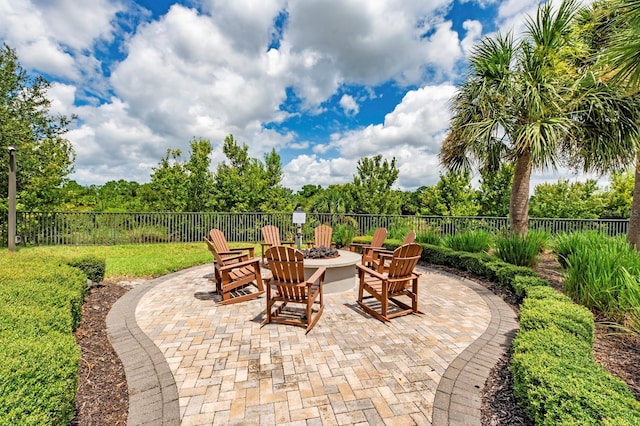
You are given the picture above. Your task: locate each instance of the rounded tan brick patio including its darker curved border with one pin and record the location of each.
(190, 361)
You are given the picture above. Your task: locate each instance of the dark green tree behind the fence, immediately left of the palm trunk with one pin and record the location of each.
(495, 191)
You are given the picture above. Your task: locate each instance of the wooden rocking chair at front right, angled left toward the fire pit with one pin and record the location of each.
(400, 280)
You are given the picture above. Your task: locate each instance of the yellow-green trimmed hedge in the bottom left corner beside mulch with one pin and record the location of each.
(39, 358)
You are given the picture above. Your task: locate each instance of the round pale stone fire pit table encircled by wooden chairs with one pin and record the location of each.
(341, 271)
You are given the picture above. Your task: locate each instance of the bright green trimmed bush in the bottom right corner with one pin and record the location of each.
(558, 383)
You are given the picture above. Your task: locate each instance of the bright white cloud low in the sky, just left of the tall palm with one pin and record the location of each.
(412, 133)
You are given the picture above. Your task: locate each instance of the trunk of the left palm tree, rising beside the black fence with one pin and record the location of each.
(519, 204)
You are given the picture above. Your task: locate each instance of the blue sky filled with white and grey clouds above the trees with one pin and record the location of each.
(323, 82)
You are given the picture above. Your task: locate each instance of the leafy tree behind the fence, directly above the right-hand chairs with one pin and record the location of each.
(372, 187)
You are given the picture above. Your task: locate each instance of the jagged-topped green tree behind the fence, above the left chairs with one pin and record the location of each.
(245, 184)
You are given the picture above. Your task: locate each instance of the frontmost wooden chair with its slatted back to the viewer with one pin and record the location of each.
(288, 285)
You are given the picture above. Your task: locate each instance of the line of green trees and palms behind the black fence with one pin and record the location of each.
(565, 93)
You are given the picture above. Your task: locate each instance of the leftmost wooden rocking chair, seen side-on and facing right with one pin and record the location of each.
(234, 273)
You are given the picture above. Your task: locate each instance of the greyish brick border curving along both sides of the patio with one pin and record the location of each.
(153, 395)
